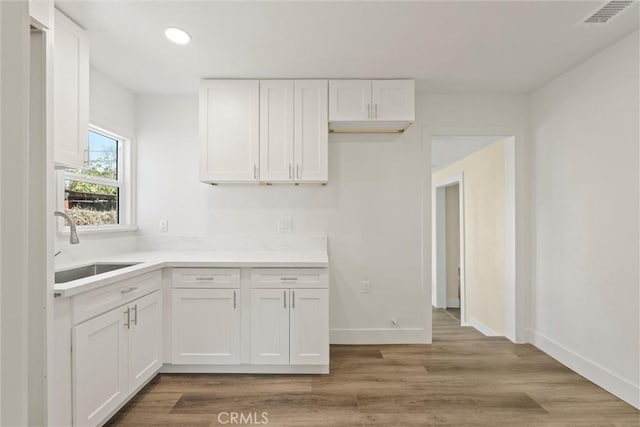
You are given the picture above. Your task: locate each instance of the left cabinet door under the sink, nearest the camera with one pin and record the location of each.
(99, 367)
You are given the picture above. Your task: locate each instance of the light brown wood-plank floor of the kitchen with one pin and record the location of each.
(462, 379)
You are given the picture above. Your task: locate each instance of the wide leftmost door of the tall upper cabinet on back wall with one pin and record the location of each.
(229, 132)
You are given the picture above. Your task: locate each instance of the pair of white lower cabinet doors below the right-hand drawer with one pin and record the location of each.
(290, 326)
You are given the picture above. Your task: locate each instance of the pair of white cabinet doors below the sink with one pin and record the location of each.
(112, 355)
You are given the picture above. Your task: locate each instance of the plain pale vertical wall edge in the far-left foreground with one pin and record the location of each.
(14, 226)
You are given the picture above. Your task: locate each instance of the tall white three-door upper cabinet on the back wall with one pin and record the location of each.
(272, 131)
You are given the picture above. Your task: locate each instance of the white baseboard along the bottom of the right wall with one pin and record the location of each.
(600, 375)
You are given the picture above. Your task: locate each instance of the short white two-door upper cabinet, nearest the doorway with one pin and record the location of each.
(371, 105)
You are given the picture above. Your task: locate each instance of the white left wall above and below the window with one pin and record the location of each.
(112, 107)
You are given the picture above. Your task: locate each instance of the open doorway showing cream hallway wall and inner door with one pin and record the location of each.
(473, 222)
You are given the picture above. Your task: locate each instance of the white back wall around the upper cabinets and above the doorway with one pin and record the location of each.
(376, 209)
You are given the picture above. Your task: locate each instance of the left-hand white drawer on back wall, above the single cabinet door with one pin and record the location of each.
(197, 278)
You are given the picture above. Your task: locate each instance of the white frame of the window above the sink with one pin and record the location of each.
(124, 183)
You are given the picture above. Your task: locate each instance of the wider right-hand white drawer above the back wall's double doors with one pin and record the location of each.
(289, 278)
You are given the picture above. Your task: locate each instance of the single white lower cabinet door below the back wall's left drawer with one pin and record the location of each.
(206, 326)
